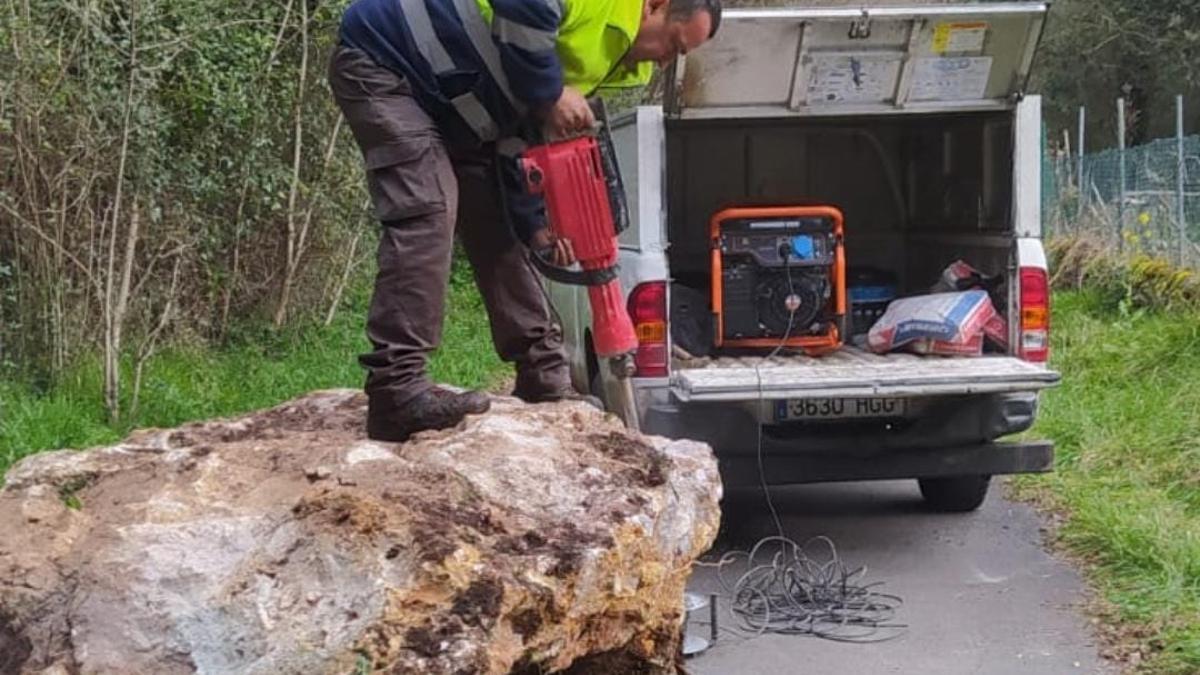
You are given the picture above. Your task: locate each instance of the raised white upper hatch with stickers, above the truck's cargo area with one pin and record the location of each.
(860, 61)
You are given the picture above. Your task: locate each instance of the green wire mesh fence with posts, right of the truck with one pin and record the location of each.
(1143, 200)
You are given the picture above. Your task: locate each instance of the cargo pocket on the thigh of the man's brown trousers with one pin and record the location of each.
(404, 180)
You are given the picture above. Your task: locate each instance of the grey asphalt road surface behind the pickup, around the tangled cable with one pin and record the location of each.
(981, 594)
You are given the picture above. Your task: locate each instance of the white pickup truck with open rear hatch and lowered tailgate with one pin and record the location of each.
(914, 122)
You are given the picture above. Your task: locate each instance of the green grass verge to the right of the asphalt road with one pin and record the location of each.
(1127, 427)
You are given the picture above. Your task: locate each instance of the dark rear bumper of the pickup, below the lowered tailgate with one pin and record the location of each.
(953, 437)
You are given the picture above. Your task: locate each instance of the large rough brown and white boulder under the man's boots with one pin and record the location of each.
(532, 540)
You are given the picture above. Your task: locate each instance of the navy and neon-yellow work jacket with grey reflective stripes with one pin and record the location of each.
(478, 65)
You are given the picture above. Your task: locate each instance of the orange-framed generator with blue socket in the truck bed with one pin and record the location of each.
(779, 279)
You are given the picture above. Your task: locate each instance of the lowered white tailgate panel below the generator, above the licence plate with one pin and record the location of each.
(853, 373)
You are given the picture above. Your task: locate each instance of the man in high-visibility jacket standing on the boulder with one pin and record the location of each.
(429, 87)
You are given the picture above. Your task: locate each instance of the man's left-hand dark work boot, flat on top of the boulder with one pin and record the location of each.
(436, 409)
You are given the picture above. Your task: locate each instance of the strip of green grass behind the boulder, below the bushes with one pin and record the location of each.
(260, 369)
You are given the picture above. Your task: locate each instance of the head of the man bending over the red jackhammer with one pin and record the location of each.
(671, 28)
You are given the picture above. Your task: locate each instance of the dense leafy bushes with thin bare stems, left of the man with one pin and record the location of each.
(166, 168)
